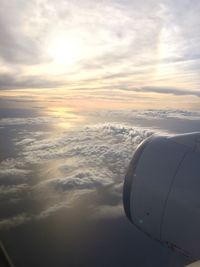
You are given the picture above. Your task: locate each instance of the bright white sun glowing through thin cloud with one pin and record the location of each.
(64, 51)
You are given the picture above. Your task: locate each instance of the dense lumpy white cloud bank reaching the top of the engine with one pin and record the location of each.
(110, 143)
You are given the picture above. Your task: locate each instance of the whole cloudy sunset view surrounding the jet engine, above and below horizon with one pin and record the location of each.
(82, 84)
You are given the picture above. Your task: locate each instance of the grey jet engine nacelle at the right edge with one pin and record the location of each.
(162, 191)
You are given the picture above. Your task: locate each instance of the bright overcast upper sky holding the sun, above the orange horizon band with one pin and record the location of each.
(150, 45)
